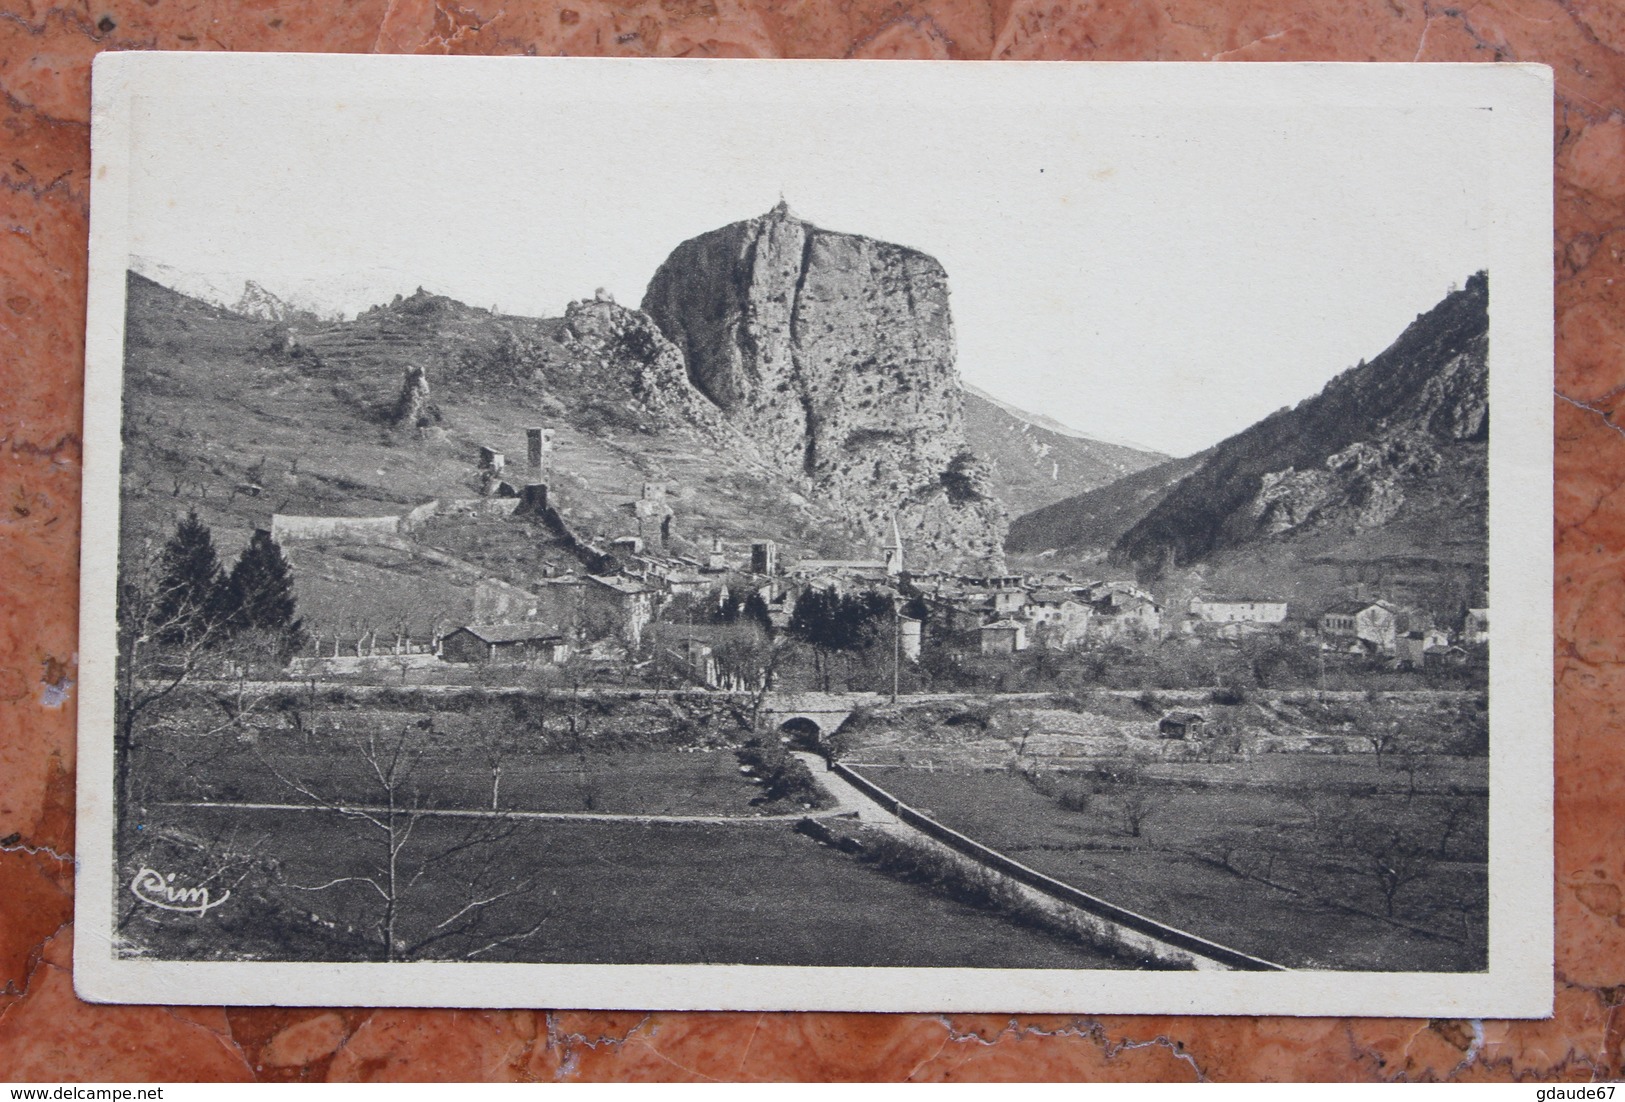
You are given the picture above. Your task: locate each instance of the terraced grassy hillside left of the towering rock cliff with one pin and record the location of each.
(241, 419)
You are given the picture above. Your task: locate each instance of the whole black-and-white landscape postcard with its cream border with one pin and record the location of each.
(830, 536)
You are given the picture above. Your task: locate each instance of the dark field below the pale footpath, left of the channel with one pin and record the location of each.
(755, 893)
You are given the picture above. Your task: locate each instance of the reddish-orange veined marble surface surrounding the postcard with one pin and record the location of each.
(48, 1035)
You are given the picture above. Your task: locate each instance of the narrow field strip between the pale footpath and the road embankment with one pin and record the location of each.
(539, 752)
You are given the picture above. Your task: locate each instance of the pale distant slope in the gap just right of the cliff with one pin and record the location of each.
(1034, 462)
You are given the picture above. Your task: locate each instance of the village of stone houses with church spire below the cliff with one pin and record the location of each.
(638, 610)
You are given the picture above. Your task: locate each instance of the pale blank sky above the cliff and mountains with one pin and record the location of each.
(1155, 256)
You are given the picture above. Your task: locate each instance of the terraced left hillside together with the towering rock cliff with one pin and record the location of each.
(269, 410)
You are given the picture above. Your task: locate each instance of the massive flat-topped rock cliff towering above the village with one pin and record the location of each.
(834, 354)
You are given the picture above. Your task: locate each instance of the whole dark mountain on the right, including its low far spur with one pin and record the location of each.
(1376, 484)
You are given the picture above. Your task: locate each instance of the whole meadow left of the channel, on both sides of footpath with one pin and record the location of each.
(742, 887)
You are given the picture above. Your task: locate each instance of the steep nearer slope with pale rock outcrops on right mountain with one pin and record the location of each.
(1387, 459)
